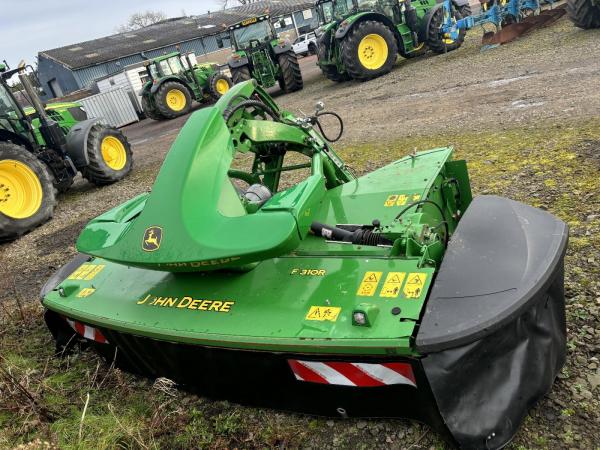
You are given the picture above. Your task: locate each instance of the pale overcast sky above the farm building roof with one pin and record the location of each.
(30, 26)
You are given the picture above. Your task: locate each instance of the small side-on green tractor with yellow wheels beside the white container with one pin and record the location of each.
(175, 81)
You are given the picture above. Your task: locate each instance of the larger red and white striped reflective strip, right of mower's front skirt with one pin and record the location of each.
(353, 374)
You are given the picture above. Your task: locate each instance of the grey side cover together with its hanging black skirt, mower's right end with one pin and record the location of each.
(494, 331)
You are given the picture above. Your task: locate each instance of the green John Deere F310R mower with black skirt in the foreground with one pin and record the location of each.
(393, 294)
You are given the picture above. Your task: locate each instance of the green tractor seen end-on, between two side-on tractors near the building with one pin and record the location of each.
(259, 54)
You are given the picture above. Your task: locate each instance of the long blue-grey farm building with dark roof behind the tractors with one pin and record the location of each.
(67, 69)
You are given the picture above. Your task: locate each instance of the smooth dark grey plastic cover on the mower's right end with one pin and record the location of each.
(501, 257)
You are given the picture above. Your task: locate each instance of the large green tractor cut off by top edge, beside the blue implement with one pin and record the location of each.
(360, 39)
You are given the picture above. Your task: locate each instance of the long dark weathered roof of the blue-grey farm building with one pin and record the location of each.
(168, 32)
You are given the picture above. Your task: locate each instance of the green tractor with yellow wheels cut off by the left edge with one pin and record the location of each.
(41, 151)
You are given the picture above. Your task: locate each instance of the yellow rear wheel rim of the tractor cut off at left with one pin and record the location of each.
(21, 191)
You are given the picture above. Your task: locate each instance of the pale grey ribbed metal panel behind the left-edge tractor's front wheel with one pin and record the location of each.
(114, 106)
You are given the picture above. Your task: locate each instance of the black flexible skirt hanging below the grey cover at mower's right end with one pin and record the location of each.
(485, 389)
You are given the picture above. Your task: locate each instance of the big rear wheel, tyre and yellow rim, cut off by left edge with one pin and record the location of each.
(27, 193)
